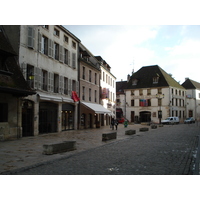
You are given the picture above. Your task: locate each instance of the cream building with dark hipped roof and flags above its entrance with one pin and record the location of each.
(152, 95)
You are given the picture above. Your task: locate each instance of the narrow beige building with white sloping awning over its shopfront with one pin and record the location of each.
(91, 112)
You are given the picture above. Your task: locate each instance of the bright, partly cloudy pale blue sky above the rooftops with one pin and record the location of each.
(175, 48)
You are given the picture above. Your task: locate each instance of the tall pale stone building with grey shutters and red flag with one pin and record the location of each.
(48, 57)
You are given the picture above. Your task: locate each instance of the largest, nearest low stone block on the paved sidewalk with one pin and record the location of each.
(49, 149)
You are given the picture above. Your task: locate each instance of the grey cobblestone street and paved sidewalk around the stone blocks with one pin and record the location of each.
(167, 150)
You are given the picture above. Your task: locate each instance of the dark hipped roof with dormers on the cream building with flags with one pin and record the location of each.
(145, 76)
